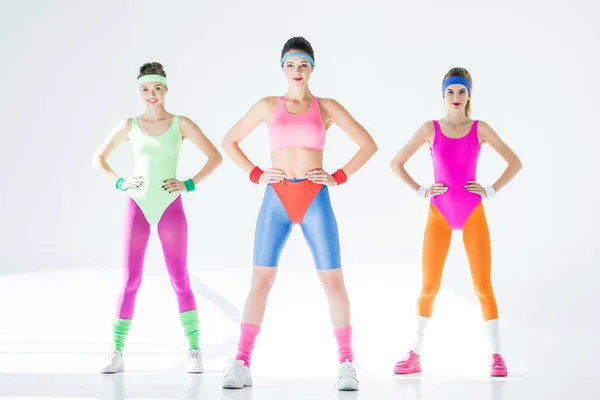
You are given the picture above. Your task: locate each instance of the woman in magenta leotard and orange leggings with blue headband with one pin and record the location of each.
(455, 204)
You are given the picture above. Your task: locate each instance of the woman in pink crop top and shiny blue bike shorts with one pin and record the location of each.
(296, 194)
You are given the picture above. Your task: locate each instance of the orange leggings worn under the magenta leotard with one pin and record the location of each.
(476, 238)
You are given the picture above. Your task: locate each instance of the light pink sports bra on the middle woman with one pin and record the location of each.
(304, 131)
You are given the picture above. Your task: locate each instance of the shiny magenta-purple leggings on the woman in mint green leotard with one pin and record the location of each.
(172, 231)
